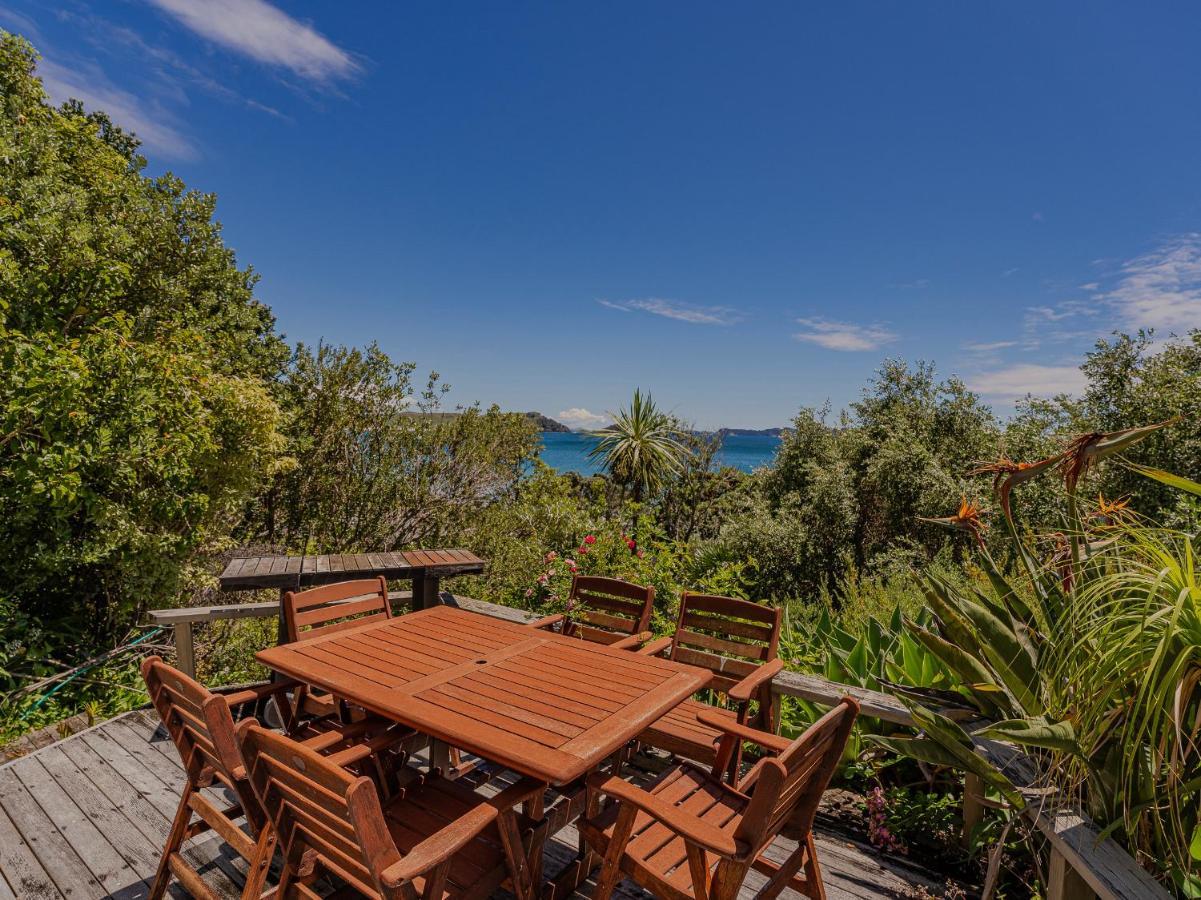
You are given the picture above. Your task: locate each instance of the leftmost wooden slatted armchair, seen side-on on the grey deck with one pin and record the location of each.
(201, 725)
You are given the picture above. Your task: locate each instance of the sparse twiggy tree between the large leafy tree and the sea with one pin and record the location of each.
(380, 466)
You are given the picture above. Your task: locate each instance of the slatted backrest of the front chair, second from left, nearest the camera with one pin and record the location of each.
(318, 807)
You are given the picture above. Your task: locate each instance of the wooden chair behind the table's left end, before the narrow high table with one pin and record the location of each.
(327, 610)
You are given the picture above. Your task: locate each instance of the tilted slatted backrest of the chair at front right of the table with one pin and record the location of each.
(786, 790)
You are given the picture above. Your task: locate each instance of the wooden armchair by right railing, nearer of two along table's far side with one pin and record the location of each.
(738, 641)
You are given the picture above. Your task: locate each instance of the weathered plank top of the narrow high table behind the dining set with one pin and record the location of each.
(289, 573)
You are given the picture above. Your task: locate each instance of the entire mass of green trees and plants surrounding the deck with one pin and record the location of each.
(154, 422)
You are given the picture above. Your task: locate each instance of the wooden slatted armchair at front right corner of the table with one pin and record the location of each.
(692, 836)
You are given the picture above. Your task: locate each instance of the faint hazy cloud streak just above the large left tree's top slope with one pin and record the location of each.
(146, 118)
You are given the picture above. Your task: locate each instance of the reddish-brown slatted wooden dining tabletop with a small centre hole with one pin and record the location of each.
(535, 702)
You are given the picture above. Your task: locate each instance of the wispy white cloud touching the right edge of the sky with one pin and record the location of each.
(1162, 289)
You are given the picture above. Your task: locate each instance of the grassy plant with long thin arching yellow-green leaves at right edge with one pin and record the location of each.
(1133, 663)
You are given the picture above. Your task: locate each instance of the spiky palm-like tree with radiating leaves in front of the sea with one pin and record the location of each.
(642, 449)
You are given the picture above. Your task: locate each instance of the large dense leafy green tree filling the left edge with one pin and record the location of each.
(135, 415)
